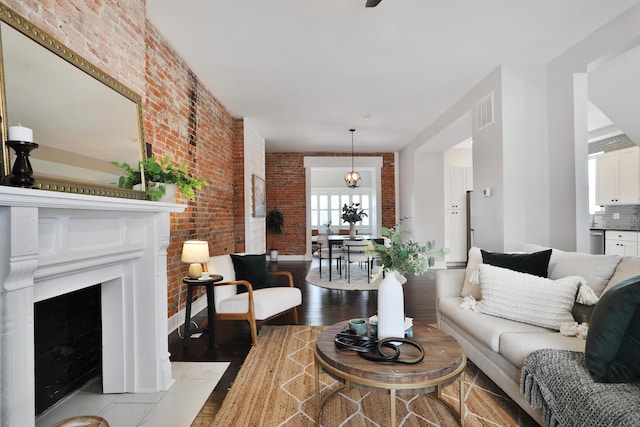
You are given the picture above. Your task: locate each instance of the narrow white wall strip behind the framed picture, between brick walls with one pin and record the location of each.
(254, 159)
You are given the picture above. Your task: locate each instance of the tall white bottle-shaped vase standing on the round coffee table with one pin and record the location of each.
(390, 307)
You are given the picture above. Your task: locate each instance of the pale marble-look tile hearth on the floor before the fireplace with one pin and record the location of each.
(175, 407)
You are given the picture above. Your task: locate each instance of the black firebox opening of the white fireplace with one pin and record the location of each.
(68, 344)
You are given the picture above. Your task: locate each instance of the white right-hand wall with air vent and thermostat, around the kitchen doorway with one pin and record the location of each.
(450, 128)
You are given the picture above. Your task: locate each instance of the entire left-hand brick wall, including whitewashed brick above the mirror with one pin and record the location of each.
(181, 118)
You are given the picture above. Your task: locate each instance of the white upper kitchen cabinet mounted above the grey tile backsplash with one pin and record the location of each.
(618, 177)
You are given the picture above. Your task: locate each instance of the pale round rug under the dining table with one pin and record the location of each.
(358, 280)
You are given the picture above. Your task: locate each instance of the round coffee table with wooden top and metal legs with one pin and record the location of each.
(444, 362)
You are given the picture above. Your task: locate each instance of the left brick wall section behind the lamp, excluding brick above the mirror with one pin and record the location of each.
(184, 121)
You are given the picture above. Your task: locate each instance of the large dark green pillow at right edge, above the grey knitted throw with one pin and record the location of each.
(613, 342)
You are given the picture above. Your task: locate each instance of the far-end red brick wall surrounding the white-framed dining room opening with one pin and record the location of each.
(285, 182)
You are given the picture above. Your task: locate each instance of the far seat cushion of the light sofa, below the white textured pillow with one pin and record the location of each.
(486, 329)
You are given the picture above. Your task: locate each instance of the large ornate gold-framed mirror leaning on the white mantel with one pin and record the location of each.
(82, 119)
